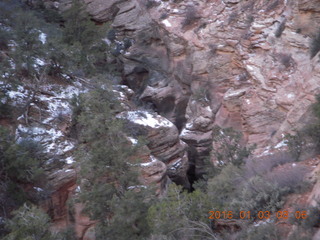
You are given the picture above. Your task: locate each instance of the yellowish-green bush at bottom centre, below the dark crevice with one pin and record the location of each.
(181, 215)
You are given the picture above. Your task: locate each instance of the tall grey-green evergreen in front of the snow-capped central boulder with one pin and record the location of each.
(109, 187)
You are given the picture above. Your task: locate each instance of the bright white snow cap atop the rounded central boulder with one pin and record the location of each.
(146, 119)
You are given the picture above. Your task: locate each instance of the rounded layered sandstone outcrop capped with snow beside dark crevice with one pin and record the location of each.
(163, 141)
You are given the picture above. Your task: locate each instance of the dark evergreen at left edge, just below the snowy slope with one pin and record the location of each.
(20, 163)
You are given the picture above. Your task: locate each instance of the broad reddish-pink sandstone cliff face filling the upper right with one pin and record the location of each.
(252, 58)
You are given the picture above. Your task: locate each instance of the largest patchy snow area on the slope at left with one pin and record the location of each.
(52, 101)
